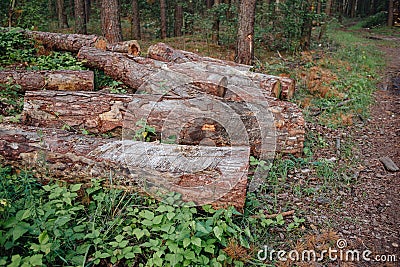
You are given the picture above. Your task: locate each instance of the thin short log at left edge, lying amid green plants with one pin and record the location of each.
(66, 80)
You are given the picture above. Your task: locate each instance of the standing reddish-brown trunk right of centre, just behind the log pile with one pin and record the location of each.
(245, 37)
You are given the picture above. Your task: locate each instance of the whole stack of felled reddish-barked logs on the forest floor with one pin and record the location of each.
(216, 113)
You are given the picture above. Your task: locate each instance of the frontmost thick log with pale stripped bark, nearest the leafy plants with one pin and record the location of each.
(204, 175)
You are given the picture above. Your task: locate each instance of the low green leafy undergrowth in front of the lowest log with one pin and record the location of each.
(70, 225)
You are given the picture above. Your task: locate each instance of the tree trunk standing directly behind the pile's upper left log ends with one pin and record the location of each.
(111, 20)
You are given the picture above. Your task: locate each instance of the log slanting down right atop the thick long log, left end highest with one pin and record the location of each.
(148, 76)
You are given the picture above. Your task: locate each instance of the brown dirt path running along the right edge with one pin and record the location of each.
(374, 204)
